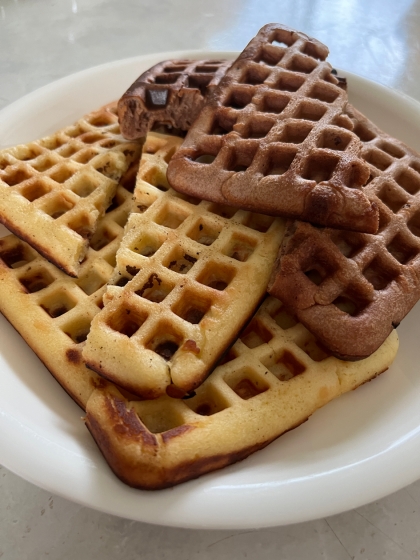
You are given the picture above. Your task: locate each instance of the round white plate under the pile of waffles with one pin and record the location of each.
(355, 450)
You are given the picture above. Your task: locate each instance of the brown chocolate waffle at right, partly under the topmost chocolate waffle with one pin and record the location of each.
(352, 289)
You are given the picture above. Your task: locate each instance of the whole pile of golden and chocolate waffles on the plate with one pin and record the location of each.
(157, 322)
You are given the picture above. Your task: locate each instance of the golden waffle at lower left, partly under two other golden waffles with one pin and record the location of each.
(53, 311)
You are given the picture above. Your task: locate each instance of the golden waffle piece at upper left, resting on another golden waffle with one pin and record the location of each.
(54, 190)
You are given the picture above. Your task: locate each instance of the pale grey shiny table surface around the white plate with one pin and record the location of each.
(43, 40)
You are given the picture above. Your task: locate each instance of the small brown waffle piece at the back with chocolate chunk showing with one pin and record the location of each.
(171, 93)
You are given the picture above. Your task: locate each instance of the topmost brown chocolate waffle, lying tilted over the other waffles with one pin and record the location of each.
(273, 138)
